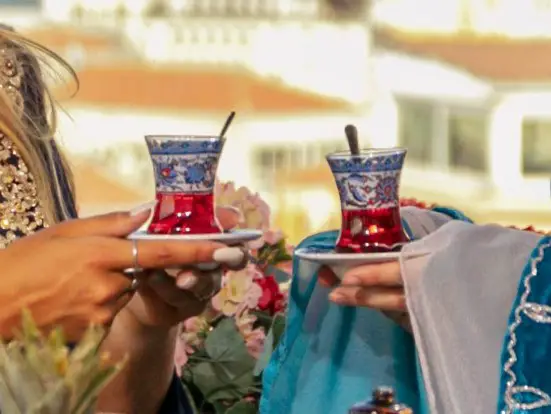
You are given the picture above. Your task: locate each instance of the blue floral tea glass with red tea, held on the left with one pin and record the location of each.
(185, 171)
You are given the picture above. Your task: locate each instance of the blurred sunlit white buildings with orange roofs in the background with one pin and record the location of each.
(465, 85)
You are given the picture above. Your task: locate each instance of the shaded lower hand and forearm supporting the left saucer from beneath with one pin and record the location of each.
(146, 329)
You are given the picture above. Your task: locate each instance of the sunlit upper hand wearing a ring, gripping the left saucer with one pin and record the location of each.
(72, 275)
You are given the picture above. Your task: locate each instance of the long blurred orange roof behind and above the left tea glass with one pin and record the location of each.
(194, 89)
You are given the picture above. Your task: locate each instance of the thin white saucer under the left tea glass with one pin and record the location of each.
(230, 238)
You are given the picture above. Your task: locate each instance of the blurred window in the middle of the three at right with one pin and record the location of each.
(468, 144)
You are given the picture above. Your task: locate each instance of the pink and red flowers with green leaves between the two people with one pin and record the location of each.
(222, 353)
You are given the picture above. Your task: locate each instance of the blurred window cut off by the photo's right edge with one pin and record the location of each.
(536, 147)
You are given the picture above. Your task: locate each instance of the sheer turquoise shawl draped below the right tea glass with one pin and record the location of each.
(330, 356)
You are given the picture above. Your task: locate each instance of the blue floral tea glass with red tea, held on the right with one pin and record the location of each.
(368, 186)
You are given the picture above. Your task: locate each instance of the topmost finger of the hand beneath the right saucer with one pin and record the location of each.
(382, 274)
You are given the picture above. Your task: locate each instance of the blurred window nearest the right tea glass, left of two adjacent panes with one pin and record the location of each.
(415, 129)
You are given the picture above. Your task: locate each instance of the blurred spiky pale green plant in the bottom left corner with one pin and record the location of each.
(39, 374)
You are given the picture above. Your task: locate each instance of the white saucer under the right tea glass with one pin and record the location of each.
(340, 262)
